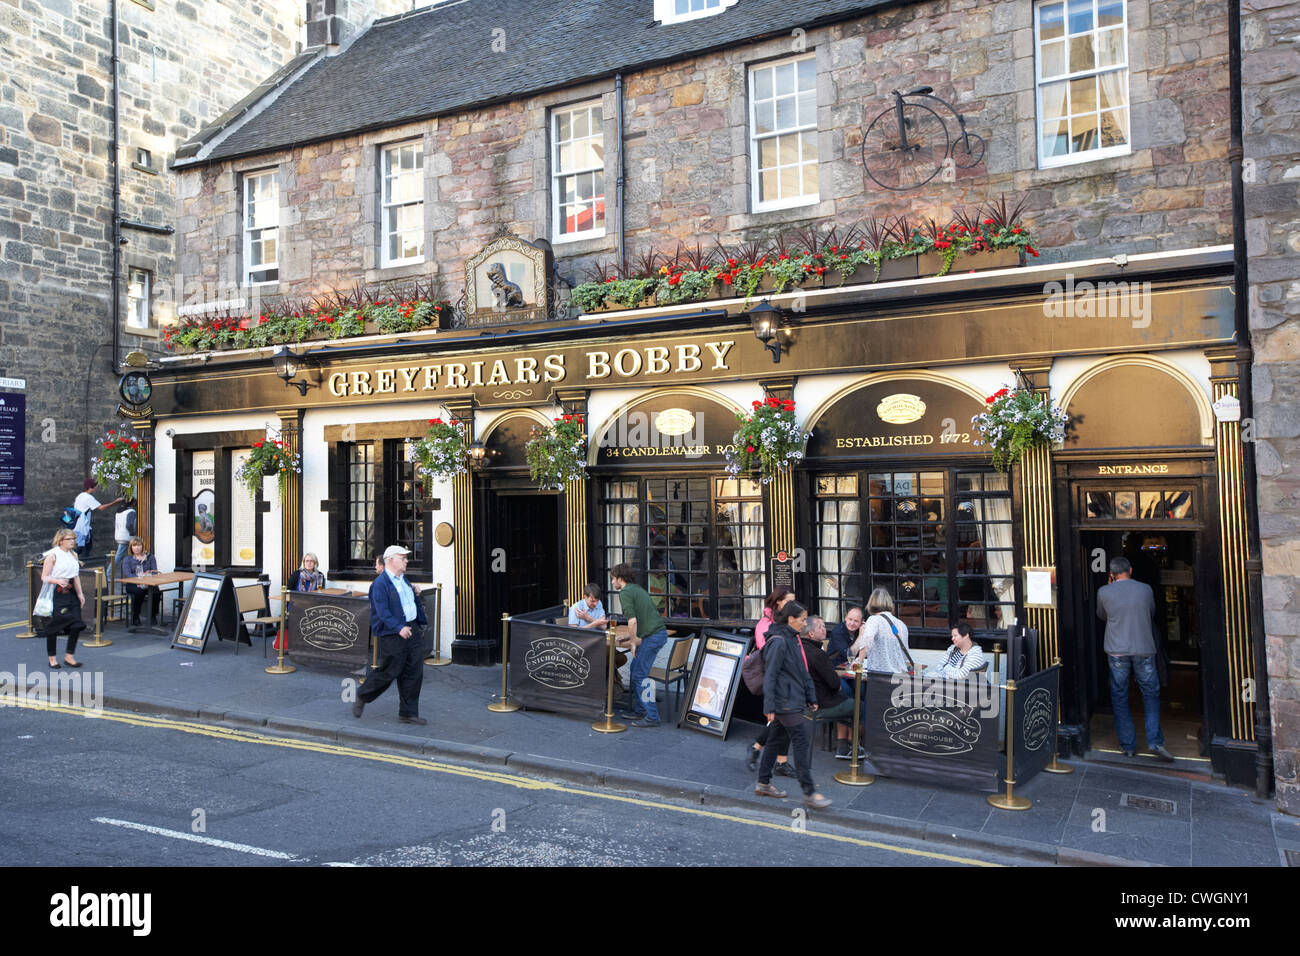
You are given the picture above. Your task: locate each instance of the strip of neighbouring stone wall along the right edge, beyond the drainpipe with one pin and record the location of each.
(1272, 174)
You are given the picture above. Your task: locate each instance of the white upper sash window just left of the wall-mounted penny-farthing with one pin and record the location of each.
(783, 133)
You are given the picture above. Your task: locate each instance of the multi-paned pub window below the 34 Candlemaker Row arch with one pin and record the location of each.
(697, 543)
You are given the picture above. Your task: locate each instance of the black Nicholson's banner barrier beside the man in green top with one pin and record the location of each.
(557, 668)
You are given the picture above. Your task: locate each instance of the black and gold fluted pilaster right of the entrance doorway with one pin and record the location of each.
(1230, 479)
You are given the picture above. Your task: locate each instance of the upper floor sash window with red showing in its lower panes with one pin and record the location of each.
(578, 162)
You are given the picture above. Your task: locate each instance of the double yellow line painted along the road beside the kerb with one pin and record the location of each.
(246, 737)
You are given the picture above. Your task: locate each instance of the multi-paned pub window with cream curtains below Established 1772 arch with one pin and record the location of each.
(938, 540)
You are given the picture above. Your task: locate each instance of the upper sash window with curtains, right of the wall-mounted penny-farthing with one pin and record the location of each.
(1082, 81)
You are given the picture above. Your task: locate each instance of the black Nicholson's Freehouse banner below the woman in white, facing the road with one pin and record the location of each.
(935, 730)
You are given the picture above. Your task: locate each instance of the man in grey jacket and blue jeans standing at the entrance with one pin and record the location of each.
(1129, 609)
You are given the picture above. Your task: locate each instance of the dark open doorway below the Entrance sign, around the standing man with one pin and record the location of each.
(1167, 560)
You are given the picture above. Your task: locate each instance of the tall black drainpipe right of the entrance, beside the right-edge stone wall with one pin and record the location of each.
(1242, 289)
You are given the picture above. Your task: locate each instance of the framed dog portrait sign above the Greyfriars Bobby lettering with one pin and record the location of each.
(508, 283)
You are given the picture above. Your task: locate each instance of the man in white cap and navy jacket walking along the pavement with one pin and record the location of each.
(397, 622)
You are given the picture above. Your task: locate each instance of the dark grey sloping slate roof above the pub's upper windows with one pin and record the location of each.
(441, 60)
